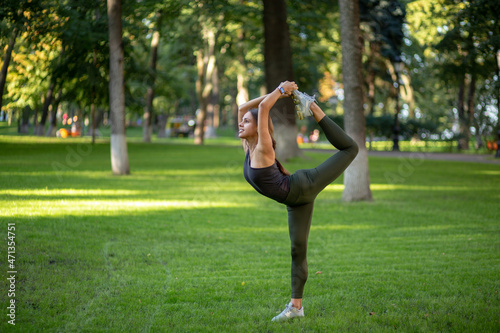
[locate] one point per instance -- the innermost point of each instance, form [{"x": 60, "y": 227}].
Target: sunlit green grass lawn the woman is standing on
[{"x": 183, "y": 244}]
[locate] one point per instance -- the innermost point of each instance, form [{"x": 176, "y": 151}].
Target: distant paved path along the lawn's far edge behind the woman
[{"x": 475, "y": 158}]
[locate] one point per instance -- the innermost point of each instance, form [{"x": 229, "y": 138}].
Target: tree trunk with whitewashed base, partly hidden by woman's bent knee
[{"x": 356, "y": 176}]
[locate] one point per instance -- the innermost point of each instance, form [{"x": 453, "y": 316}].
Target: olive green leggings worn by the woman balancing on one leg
[{"x": 305, "y": 185}]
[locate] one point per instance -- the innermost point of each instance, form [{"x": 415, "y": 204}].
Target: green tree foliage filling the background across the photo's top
[{"x": 59, "y": 60}]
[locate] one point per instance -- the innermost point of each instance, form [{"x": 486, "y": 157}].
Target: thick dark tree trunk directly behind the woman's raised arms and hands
[{"x": 278, "y": 65}]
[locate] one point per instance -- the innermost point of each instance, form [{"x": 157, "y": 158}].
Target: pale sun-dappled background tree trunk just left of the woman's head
[{"x": 204, "y": 85}]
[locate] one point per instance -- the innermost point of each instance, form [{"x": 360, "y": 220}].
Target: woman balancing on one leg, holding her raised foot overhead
[{"x": 299, "y": 190}]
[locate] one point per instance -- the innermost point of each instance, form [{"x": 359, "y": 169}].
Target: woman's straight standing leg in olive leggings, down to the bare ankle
[{"x": 299, "y": 224}]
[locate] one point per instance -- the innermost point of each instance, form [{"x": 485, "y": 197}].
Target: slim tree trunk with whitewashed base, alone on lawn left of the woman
[{"x": 119, "y": 154}]
